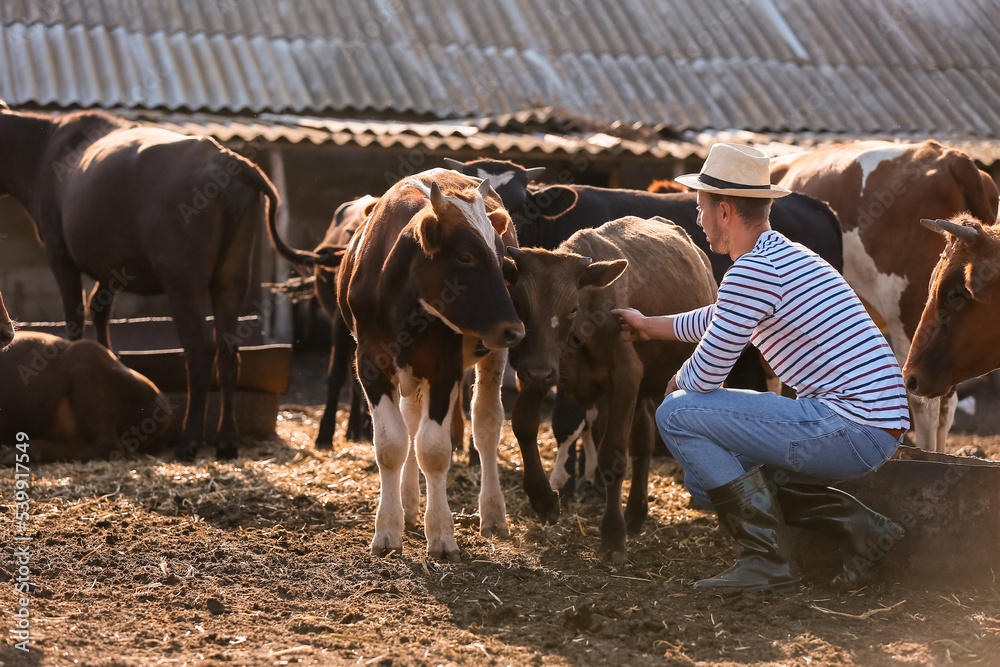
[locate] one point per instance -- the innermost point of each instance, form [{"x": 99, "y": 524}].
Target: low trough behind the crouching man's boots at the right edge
[{"x": 950, "y": 509}]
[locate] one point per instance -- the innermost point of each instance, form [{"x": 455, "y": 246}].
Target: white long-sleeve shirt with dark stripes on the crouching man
[{"x": 810, "y": 326}]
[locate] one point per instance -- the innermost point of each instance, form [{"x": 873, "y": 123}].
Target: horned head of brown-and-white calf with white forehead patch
[{"x": 459, "y": 275}]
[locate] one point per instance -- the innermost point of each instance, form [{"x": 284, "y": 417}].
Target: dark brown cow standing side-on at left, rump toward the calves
[{"x": 148, "y": 211}]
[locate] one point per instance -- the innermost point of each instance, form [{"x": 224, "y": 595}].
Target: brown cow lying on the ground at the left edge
[{"x": 75, "y": 401}]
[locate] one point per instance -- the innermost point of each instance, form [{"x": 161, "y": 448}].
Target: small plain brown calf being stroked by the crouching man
[{"x": 565, "y": 297}]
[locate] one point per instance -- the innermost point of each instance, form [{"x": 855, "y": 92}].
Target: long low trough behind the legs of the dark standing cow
[{"x": 150, "y": 346}]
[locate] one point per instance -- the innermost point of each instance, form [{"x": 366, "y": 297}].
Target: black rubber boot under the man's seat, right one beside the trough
[{"x": 865, "y": 536}]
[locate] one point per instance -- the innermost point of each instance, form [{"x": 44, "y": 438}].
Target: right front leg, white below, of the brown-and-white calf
[{"x": 433, "y": 448}]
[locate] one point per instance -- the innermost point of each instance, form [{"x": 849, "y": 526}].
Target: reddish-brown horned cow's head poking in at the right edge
[{"x": 955, "y": 339}]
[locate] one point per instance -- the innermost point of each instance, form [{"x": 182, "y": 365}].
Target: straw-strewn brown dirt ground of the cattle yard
[{"x": 265, "y": 561}]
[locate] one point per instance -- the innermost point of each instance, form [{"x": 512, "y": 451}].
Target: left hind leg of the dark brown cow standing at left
[{"x": 193, "y": 330}]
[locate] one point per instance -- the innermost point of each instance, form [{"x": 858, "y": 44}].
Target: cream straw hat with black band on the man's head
[{"x": 734, "y": 169}]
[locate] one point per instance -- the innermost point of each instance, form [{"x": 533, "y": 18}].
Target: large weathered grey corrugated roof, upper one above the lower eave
[{"x": 867, "y": 66}]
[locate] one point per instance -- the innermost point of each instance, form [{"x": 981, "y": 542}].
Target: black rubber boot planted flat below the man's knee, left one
[{"x": 748, "y": 509}]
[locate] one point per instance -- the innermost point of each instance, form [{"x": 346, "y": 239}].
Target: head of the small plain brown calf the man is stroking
[{"x": 550, "y": 295}]
